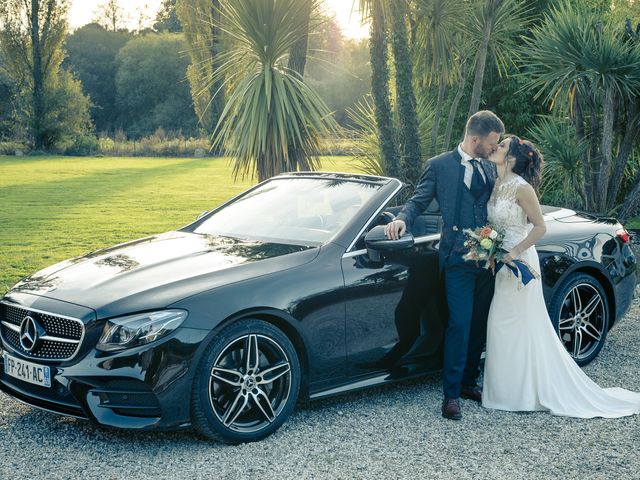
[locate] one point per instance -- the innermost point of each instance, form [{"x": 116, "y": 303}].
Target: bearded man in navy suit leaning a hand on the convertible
[{"x": 461, "y": 181}]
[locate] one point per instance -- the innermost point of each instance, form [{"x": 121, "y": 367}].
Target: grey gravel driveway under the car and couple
[{"x": 389, "y": 432}]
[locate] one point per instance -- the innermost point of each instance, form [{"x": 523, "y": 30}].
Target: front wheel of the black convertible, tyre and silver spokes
[{"x": 237, "y": 399}]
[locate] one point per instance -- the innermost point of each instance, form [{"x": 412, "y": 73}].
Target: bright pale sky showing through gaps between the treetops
[{"x": 83, "y": 12}]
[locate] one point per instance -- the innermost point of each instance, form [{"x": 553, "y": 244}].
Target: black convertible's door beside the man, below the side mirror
[{"x": 393, "y": 307}]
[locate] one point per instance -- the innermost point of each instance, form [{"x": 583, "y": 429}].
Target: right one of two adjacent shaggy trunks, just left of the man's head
[{"x": 409, "y": 138}]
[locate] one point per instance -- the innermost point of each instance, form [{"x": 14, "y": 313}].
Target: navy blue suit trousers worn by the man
[{"x": 469, "y": 290}]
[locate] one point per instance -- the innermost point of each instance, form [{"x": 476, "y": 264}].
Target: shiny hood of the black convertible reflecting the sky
[{"x": 156, "y": 271}]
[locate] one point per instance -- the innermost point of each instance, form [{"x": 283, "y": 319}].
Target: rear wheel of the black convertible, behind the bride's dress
[{"x": 580, "y": 314}]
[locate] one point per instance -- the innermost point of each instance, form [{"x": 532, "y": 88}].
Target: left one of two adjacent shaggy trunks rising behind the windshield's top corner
[{"x": 380, "y": 91}]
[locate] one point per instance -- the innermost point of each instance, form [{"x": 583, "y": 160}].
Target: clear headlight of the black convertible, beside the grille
[{"x": 135, "y": 330}]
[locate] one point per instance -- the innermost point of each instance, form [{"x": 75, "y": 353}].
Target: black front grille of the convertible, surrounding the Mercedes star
[{"x": 59, "y": 339}]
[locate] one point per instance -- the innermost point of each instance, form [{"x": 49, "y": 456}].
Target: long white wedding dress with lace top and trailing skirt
[{"x": 526, "y": 367}]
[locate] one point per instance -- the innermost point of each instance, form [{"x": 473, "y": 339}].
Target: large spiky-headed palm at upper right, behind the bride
[{"x": 586, "y": 69}]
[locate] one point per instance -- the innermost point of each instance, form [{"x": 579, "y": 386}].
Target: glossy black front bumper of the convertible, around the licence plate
[{"x": 144, "y": 388}]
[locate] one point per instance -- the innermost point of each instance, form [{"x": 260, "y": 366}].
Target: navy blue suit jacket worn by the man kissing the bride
[{"x": 444, "y": 181}]
